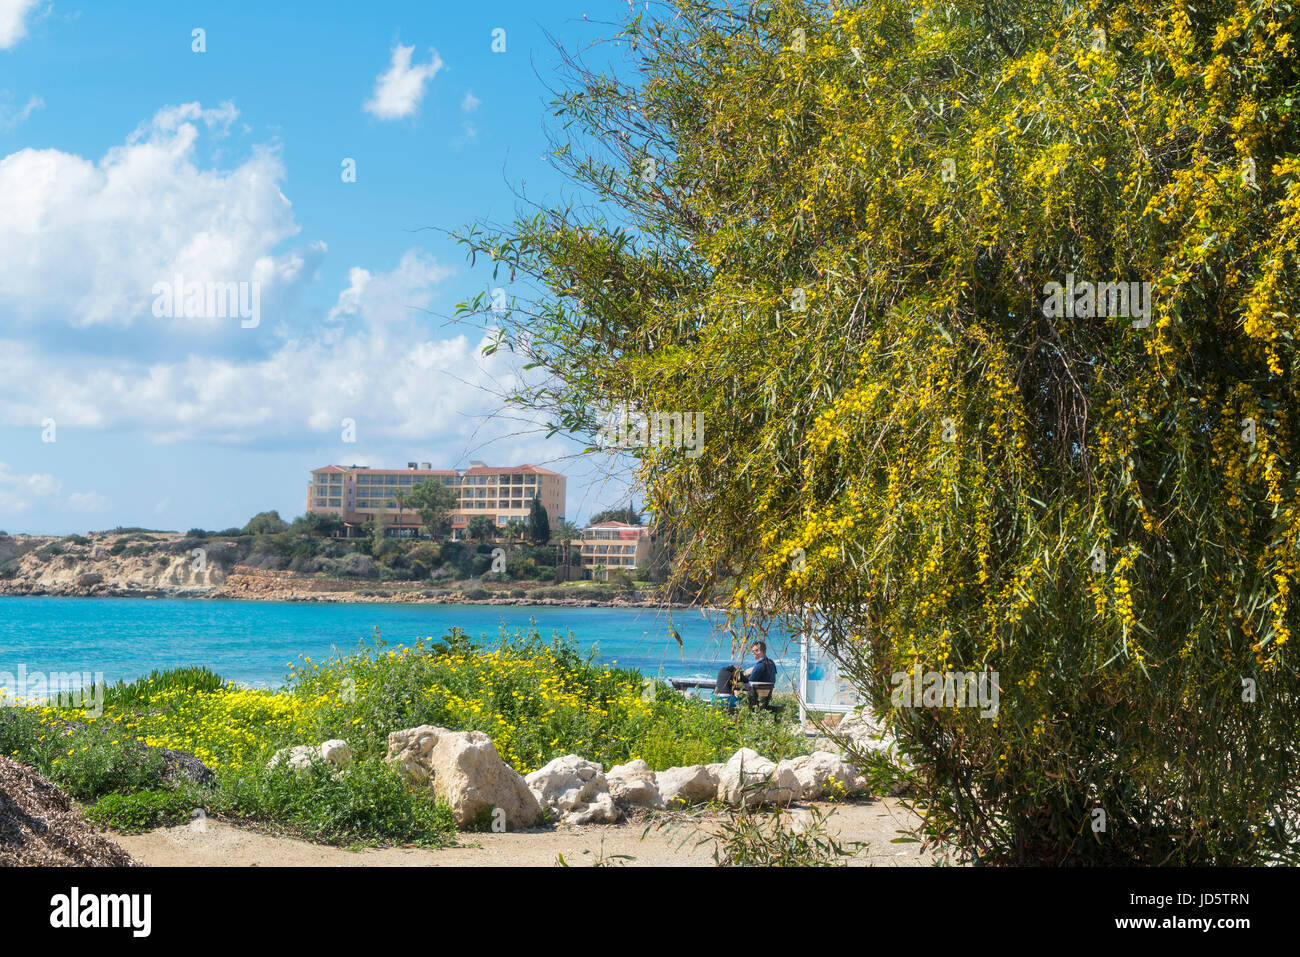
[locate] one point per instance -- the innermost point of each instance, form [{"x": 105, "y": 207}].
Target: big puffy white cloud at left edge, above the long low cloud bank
[{"x": 85, "y": 241}]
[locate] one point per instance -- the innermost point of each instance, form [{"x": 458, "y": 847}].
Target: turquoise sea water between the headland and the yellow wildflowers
[{"x": 254, "y": 643}]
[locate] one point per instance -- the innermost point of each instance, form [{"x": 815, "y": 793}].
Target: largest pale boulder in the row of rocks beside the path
[{"x": 465, "y": 770}]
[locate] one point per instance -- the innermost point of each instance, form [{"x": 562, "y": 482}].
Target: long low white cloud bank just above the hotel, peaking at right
[{"x": 374, "y": 361}]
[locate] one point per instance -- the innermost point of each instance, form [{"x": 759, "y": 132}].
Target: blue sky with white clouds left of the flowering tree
[{"x": 127, "y": 159}]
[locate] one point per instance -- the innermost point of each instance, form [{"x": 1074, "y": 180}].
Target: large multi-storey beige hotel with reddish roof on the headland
[{"x": 358, "y": 493}]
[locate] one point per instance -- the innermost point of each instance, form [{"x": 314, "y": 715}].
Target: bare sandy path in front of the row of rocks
[{"x": 224, "y": 846}]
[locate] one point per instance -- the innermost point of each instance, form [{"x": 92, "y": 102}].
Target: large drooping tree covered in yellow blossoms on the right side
[{"x": 990, "y": 314}]
